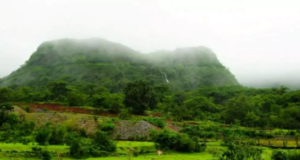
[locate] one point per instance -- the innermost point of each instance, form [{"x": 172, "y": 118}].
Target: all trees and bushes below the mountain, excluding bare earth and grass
[{"x": 232, "y": 106}]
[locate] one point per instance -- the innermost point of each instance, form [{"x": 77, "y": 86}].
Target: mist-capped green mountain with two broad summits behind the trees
[{"x": 112, "y": 65}]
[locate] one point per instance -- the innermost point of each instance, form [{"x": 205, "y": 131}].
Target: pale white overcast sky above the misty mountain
[{"x": 256, "y": 39}]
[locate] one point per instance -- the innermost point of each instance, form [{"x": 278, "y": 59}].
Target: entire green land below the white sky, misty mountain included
[{"x": 72, "y": 99}]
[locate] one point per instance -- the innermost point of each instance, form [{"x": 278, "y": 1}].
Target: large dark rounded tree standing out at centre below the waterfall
[{"x": 140, "y": 96}]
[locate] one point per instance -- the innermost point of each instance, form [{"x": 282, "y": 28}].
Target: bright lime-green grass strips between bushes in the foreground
[{"x": 123, "y": 144}]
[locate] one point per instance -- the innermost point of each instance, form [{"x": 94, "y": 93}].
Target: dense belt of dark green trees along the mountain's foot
[{"x": 266, "y": 108}]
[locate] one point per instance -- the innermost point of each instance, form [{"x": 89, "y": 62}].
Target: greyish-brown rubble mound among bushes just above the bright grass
[{"x": 126, "y": 130}]
